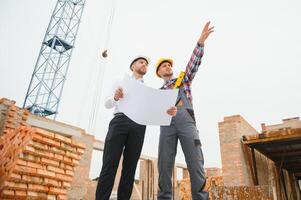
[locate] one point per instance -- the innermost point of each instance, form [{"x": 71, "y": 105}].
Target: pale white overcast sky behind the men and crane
[{"x": 251, "y": 64}]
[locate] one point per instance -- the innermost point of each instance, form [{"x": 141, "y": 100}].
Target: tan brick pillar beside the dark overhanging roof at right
[{"x": 235, "y": 169}]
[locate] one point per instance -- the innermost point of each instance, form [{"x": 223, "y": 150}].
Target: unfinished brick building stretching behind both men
[{"x": 46, "y": 159}]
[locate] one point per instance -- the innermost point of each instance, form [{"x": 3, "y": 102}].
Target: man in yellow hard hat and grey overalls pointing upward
[{"x": 183, "y": 126}]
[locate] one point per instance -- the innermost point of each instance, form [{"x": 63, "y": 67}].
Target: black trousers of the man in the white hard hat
[{"x": 124, "y": 136}]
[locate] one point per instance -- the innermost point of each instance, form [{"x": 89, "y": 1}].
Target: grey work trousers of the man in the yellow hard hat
[{"x": 183, "y": 128}]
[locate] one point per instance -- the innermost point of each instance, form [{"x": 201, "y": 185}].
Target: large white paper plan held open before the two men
[{"x": 146, "y": 105}]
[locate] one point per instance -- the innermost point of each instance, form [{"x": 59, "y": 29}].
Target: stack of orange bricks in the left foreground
[{"x": 37, "y": 164}]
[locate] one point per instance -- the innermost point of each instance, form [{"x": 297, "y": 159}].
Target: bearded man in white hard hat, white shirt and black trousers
[{"x": 124, "y": 137}]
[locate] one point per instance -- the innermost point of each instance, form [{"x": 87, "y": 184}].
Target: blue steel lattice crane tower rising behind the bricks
[{"x": 49, "y": 75}]
